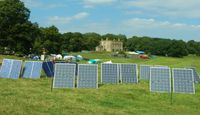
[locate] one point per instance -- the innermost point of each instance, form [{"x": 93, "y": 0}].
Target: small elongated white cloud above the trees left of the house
[{"x": 64, "y": 20}]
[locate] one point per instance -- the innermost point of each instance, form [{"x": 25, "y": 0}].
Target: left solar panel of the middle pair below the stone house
[{"x": 109, "y": 73}]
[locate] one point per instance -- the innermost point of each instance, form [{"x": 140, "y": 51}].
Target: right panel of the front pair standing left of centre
[{"x": 87, "y": 76}]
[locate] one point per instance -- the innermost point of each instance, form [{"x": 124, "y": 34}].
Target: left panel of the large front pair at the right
[{"x": 160, "y": 79}]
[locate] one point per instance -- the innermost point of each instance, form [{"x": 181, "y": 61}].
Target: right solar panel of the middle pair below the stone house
[{"x": 123, "y": 75}]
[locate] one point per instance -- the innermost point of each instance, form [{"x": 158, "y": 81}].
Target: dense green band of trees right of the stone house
[{"x": 163, "y": 47}]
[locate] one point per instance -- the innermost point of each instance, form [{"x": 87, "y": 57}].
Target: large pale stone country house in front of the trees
[{"x": 110, "y": 45}]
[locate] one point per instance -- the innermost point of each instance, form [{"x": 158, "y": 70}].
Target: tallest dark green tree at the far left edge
[{"x": 15, "y": 28}]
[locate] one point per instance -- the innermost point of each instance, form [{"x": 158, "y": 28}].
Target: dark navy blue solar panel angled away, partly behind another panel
[{"x": 48, "y": 68}]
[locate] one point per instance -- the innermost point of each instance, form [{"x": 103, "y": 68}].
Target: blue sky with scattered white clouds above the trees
[{"x": 174, "y": 19}]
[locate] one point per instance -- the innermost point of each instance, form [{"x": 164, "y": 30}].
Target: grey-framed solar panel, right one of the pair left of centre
[{"x": 80, "y": 78}]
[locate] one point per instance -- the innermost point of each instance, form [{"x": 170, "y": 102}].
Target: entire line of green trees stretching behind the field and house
[{"x": 22, "y": 36}]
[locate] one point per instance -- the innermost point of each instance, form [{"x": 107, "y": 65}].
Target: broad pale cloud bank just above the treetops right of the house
[{"x": 165, "y": 29}]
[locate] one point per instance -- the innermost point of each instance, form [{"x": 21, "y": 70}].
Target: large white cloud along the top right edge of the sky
[{"x": 177, "y": 8}]
